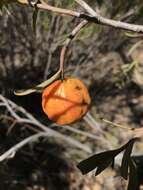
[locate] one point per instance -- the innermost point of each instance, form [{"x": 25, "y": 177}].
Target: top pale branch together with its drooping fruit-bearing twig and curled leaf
[{"x": 92, "y": 17}]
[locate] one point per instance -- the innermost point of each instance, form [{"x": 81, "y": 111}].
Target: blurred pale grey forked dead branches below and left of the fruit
[{"x": 45, "y": 131}]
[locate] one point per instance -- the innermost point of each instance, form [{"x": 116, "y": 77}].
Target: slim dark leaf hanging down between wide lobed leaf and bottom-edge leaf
[{"x": 126, "y": 160}]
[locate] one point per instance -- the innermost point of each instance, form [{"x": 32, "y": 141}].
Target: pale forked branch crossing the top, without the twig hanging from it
[{"x": 92, "y": 17}]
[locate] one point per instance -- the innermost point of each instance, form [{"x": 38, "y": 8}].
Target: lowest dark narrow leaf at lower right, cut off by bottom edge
[{"x": 133, "y": 178}]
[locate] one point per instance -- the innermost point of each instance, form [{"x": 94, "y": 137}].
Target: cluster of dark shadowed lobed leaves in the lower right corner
[{"x": 105, "y": 159}]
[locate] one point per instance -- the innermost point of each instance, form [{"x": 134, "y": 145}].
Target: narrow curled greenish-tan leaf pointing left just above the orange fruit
[{"x": 39, "y": 87}]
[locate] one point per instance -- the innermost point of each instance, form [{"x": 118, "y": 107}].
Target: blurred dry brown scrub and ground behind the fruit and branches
[{"x": 109, "y": 61}]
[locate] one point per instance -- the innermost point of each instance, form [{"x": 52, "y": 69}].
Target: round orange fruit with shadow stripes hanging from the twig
[{"x": 65, "y": 101}]
